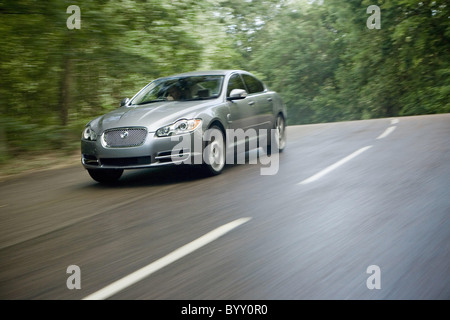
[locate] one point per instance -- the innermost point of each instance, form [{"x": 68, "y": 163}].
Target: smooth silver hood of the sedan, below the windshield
[{"x": 152, "y": 115}]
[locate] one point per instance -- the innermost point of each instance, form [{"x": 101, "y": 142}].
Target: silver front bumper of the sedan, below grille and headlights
[{"x": 155, "y": 151}]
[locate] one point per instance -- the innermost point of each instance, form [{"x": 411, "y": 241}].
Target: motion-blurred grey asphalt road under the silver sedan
[{"x": 347, "y": 195}]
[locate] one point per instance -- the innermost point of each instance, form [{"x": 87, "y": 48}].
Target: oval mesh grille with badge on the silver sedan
[{"x": 124, "y": 137}]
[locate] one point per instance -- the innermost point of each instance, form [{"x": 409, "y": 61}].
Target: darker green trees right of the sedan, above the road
[{"x": 329, "y": 66}]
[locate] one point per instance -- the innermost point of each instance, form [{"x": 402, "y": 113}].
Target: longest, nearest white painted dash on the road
[{"x": 144, "y": 272}]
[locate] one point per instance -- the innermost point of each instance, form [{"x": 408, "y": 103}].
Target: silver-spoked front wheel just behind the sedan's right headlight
[{"x": 214, "y": 153}]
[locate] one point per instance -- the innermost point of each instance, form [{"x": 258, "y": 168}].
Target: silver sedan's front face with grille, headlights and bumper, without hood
[{"x": 134, "y": 147}]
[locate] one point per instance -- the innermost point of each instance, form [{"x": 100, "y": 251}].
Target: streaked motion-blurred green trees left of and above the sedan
[{"x": 54, "y": 79}]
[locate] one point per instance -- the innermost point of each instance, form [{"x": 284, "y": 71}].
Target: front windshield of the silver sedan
[{"x": 180, "y": 89}]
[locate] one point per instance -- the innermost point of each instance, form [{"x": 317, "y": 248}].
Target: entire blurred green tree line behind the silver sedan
[{"x": 319, "y": 55}]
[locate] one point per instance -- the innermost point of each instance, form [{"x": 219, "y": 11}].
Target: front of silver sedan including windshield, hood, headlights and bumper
[{"x": 158, "y": 126}]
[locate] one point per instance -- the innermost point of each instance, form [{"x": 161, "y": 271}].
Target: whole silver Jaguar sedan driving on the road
[{"x": 193, "y": 118}]
